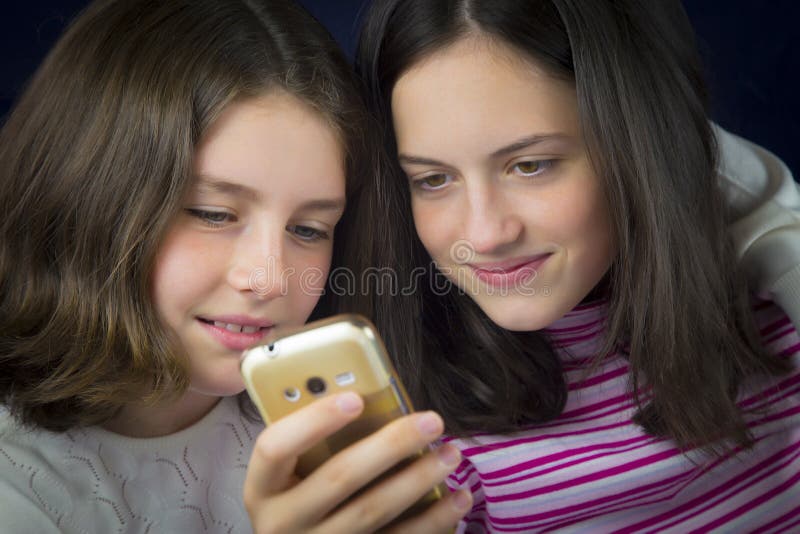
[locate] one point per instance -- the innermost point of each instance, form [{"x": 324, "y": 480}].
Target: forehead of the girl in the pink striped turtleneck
[{"x": 480, "y": 85}]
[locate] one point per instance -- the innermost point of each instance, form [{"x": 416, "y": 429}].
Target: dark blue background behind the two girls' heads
[{"x": 750, "y": 48}]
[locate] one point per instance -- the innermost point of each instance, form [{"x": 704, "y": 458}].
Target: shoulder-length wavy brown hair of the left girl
[{"x": 95, "y": 160}]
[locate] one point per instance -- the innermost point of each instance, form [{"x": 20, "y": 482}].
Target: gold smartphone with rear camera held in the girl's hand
[{"x": 341, "y": 353}]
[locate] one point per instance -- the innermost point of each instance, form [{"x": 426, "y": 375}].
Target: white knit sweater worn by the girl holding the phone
[{"x": 92, "y": 480}]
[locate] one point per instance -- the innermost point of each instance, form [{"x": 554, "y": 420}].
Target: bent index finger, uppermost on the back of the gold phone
[{"x": 276, "y": 450}]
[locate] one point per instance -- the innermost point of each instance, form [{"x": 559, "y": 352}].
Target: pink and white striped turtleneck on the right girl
[{"x": 594, "y": 470}]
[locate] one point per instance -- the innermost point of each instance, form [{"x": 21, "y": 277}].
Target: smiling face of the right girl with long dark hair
[{"x": 503, "y": 195}]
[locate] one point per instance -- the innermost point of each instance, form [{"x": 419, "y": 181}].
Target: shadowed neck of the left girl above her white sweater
[{"x": 147, "y": 420}]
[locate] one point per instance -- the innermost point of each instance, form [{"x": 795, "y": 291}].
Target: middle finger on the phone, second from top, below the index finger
[{"x": 360, "y": 463}]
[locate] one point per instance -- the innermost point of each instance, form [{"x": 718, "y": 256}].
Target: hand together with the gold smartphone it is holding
[{"x": 329, "y": 458}]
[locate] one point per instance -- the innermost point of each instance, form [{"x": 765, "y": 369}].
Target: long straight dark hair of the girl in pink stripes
[{"x": 676, "y": 297}]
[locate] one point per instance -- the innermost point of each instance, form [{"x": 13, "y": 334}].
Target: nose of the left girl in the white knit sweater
[{"x": 257, "y": 267}]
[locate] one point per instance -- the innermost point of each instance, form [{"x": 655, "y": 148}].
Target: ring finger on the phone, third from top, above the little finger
[{"x": 389, "y": 498}]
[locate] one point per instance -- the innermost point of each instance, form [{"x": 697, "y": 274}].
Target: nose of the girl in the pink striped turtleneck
[{"x": 491, "y": 222}]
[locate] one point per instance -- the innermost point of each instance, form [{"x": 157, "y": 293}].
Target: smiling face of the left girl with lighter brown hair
[{"x": 252, "y": 247}]
